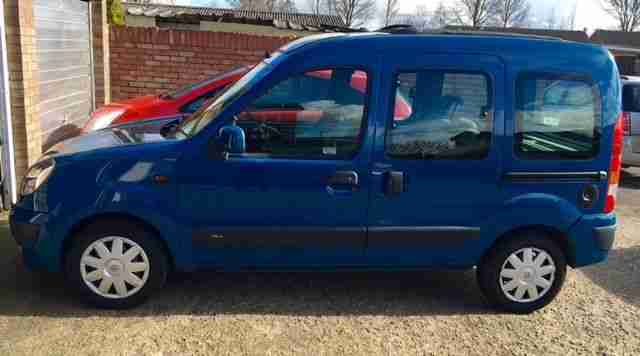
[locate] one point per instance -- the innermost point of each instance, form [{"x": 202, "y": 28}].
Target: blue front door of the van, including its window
[{"x": 298, "y": 195}]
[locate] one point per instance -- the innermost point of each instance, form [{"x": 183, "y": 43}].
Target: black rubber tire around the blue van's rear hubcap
[{"x": 489, "y": 279}]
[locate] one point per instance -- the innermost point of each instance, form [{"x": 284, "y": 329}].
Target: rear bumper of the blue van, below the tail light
[{"x": 591, "y": 239}]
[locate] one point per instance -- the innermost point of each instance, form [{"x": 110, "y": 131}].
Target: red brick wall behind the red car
[{"x": 151, "y": 61}]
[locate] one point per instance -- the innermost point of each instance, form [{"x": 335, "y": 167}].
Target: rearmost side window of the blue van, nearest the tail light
[{"x": 557, "y": 117}]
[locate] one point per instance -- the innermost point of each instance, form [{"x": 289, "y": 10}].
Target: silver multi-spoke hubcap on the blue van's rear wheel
[{"x": 527, "y": 275}]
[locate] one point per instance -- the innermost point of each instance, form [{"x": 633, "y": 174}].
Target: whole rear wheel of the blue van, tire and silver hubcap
[{"x": 522, "y": 274}]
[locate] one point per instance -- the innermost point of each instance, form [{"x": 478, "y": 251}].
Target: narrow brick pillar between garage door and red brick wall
[{"x": 100, "y": 34}]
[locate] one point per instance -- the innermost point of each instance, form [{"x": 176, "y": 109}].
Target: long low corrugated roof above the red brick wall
[{"x": 296, "y": 21}]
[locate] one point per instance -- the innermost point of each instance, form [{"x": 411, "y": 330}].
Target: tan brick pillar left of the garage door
[{"x": 23, "y": 82}]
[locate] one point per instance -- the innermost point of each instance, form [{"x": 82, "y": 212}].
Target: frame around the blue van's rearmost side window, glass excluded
[{"x": 556, "y": 76}]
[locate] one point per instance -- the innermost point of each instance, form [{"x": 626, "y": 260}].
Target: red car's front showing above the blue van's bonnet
[{"x": 185, "y": 100}]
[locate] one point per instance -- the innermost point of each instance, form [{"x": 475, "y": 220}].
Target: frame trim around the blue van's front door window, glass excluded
[{"x": 364, "y": 125}]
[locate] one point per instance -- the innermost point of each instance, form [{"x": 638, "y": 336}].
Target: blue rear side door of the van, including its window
[{"x": 435, "y": 173}]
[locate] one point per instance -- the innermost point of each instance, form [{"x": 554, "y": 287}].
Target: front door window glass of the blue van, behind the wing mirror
[{"x": 318, "y": 114}]
